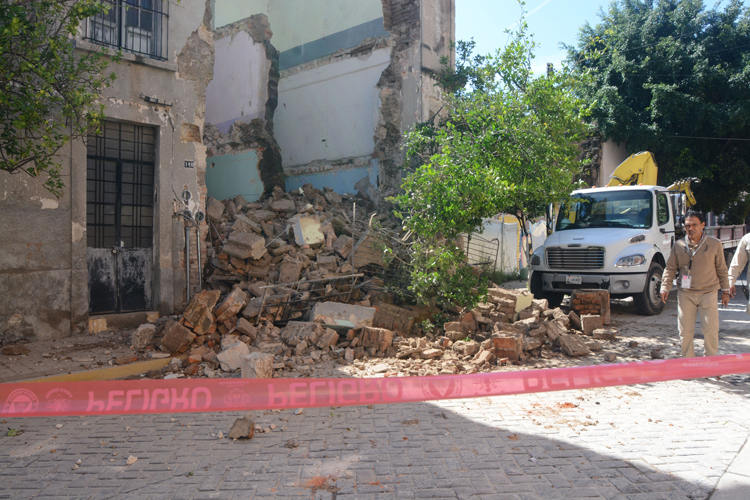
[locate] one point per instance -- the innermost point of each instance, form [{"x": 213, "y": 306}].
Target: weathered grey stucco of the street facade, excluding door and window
[{"x": 43, "y": 264}]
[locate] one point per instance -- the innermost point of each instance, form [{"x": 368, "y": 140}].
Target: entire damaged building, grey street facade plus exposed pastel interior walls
[{"x": 299, "y": 93}]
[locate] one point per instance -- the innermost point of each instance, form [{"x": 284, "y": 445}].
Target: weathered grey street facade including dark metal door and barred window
[{"x": 110, "y": 244}]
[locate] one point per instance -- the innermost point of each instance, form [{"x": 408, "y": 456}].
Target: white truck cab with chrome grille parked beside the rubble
[{"x": 614, "y": 238}]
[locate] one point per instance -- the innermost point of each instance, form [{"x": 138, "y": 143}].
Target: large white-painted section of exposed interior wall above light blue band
[{"x": 330, "y": 112}]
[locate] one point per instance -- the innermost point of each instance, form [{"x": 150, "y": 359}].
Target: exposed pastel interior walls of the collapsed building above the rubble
[{"x": 319, "y": 93}]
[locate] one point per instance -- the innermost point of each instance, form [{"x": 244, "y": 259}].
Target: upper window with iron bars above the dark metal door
[{"x": 138, "y": 26}]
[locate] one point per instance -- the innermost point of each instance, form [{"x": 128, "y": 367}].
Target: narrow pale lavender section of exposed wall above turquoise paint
[{"x": 239, "y": 89}]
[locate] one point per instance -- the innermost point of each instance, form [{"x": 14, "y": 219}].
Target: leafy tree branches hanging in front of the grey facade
[{"x": 48, "y": 89}]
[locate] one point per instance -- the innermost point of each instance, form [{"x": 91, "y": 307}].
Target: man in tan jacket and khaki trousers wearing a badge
[{"x": 699, "y": 258}]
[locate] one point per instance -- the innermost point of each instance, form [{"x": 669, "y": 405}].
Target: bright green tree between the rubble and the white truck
[{"x": 508, "y": 142}]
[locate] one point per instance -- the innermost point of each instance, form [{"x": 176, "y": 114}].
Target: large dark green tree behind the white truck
[{"x": 673, "y": 78}]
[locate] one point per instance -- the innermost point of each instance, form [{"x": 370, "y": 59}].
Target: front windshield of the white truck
[{"x": 607, "y": 209}]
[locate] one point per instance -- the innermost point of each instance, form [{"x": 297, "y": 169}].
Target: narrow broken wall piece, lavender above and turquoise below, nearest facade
[{"x": 243, "y": 155}]
